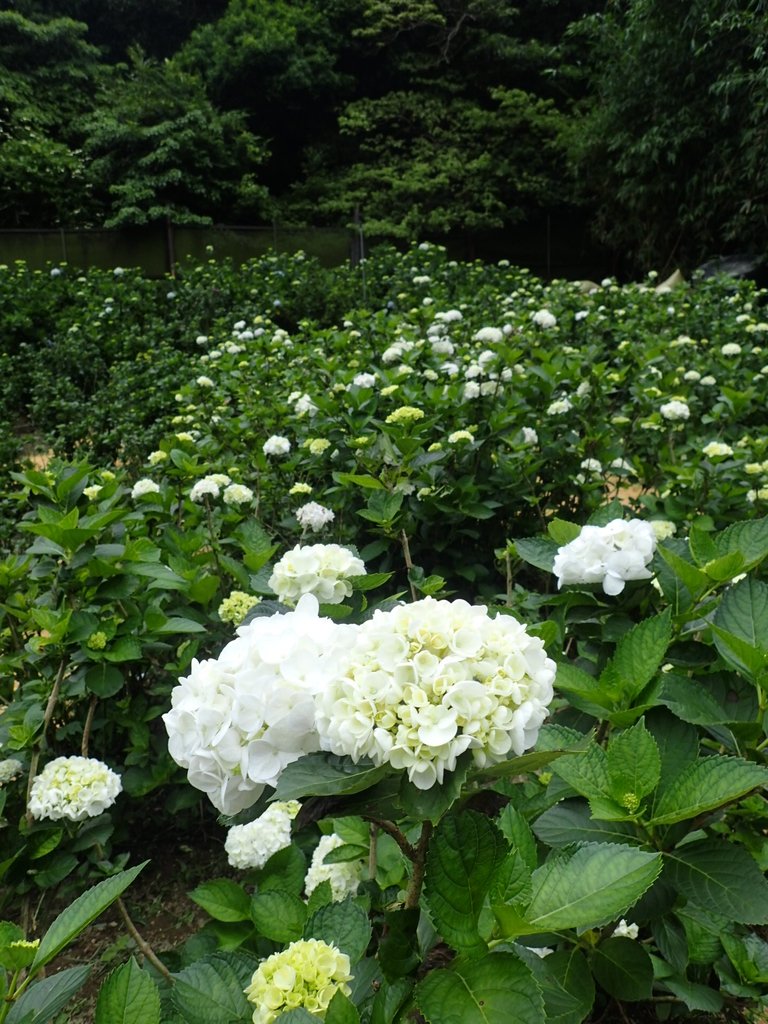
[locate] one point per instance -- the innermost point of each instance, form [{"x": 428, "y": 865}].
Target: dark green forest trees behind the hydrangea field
[{"x": 645, "y": 121}]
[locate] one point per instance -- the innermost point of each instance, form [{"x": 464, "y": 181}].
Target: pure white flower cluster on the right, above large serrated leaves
[{"x": 610, "y": 556}]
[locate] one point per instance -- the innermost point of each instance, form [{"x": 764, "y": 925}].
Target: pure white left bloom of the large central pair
[{"x": 238, "y": 720}]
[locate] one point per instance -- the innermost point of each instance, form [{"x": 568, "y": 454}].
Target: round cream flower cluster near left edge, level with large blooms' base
[{"x": 73, "y": 788}]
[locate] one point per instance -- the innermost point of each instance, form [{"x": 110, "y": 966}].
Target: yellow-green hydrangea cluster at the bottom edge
[{"x": 309, "y": 974}]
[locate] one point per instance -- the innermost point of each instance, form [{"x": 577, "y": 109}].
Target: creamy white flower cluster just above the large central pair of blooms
[{"x": 323, "y": 570}]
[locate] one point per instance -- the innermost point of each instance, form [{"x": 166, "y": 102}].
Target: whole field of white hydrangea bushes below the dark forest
[{"x": 438, "y": 591}]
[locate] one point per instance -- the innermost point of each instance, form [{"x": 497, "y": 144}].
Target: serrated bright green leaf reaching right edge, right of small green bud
[{"x": 706, "y": 785}]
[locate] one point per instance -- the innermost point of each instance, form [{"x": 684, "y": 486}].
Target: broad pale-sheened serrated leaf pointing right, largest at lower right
[{"x": 594, "y": 885}]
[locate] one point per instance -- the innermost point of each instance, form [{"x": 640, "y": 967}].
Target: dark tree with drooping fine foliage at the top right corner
[{"x": 671, "y": 147}]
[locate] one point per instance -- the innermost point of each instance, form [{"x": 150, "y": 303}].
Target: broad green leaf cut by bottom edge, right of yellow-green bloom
[{"x": 496, "y": 990}]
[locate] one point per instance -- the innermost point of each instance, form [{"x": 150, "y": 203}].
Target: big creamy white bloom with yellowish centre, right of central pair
[{"x": 428, "y": 681}]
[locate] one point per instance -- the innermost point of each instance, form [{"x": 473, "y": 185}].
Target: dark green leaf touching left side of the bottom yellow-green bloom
[{"x": 211, "y": 992}]
